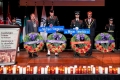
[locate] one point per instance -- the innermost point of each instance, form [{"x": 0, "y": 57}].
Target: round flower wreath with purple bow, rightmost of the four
[{"x": 104, "y": 42}]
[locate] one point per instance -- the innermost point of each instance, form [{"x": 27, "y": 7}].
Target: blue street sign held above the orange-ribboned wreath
[{"x": 72, "y": 31}]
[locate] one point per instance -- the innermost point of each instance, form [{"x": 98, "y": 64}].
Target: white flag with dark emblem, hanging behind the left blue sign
[{"x": 43, "y": 23}]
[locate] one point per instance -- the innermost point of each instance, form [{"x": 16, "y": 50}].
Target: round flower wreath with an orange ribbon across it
[{"x": 80, "y": 43}]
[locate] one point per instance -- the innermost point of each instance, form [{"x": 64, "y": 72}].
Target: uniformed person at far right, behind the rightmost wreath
[{"x": 110, "y": 28}]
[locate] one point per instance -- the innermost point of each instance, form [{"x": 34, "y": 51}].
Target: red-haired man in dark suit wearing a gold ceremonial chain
[{"x": 90, "y": 23}]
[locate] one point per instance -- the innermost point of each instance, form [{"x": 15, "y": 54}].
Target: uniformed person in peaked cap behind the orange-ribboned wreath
[{"x": 76, "y": 24}]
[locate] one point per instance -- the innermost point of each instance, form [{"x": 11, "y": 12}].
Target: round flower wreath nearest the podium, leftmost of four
[{"x": 33, "y": 42}]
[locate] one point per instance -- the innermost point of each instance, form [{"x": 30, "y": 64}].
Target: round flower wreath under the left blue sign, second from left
[{"x": 56, "y": 42}]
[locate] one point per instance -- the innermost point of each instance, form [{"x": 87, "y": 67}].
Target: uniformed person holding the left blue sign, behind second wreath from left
[{"x": 52, "y": 21}]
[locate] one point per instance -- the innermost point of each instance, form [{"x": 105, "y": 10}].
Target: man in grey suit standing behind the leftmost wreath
[{"x": 32, "y": 26}]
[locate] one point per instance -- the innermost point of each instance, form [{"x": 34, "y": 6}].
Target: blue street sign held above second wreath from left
[{"x": 51, "y": 29}]
